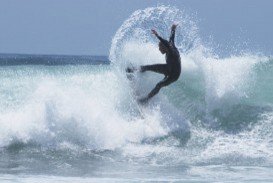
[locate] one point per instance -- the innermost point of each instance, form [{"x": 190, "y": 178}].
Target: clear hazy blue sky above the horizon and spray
[{"x": 86, "y": 27}]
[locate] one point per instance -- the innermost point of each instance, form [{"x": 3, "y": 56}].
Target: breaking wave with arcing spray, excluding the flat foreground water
[{"x": 94, "y": 107}]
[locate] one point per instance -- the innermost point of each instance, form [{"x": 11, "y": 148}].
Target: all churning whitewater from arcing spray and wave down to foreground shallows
[{"x": 81, "y": 123}]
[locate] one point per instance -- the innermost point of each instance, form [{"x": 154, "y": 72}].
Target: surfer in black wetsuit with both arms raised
[{"x": 171, "y": 69}]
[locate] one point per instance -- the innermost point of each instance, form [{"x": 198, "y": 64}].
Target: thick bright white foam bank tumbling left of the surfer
[{"x": 83, "y": 110}]
